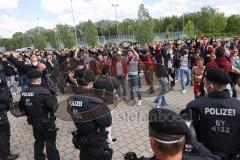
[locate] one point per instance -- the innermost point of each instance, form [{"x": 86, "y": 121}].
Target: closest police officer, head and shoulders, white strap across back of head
[{"x": 168, "y": 135}]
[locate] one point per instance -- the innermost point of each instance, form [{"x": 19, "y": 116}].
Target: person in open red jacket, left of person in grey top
[{"x": 119, "y": 70}]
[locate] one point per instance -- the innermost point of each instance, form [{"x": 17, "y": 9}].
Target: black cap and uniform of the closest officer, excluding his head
[{"x": 166, "y": 123}]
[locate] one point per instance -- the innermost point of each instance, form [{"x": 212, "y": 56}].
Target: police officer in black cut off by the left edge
[{"x": 5, "y": 100}]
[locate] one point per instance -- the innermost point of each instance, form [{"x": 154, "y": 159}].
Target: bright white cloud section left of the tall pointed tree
[{"x": 93, "y": 9}]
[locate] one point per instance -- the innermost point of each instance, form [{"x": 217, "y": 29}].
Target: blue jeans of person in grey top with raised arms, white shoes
[{"x": 133, "y": 81}]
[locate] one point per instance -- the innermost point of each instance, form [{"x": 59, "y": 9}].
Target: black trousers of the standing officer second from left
[{"x": 45, "y": 133}]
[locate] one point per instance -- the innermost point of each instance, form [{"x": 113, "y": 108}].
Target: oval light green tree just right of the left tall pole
[{"x": 90, "y": 32}]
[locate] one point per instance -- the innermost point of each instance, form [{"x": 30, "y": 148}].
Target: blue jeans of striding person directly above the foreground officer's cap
[{"x": 160, "y": 100}]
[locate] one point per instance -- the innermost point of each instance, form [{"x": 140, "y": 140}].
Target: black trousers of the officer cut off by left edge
[{"x": 4, "y": 136}]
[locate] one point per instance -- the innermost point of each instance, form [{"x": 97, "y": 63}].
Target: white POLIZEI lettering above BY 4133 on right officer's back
[{"x": 220, "y": 111}]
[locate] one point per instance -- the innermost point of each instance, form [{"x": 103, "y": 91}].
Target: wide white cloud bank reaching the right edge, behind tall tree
[{"x": 97, "y": 10}]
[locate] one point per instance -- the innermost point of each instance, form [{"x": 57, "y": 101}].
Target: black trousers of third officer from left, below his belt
[{"x": 95, "y": 152}]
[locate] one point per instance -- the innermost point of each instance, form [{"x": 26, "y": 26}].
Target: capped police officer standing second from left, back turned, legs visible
[{"x": 40, "y": 107}]
